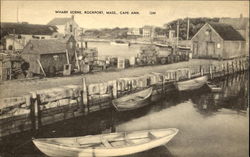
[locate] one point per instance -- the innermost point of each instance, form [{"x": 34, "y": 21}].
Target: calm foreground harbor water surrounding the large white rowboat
[{"x": 210, "y": 124}]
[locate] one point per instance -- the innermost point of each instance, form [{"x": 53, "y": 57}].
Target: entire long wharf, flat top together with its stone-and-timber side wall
[{"x": 36, "y": 103}]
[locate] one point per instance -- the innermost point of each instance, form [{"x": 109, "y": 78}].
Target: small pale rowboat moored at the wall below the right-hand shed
[{"x": 192, "y": 84}]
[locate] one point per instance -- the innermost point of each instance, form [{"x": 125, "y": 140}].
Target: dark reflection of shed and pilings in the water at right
[{"x": 233, "y": 96}]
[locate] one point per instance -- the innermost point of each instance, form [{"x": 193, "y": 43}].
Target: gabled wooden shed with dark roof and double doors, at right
[{"x": 218, "y": 40}]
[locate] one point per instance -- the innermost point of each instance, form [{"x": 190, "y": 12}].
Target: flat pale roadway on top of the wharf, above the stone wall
[{"x": 15, "y": 88}]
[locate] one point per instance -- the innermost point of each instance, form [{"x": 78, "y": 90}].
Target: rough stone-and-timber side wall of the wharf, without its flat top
[{"x": 43, "y": 107}]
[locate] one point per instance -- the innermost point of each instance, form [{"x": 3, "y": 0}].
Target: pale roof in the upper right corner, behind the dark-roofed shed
[{"x": 237, "y": 23}]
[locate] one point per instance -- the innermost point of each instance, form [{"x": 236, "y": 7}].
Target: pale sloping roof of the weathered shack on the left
[{"x": 45, "y": 46}]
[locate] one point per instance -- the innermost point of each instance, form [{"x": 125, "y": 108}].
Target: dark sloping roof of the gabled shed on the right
[{"x": 226, "y": 32}]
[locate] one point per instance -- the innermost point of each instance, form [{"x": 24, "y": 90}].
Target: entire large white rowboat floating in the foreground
[{"x": 113, "y": 144}]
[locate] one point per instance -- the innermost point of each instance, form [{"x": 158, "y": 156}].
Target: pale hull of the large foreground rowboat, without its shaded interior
[{"x": 54, "y": 150}]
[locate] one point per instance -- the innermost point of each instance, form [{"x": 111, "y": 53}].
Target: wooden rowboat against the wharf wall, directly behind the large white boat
[{"x": 133, "y": 101}]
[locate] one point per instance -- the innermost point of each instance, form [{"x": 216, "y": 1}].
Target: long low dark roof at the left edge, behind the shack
[{"x": 25, "y": 28}]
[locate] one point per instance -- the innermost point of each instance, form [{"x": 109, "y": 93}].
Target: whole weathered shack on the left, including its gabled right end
[{"x": 50, "y": 55}]
